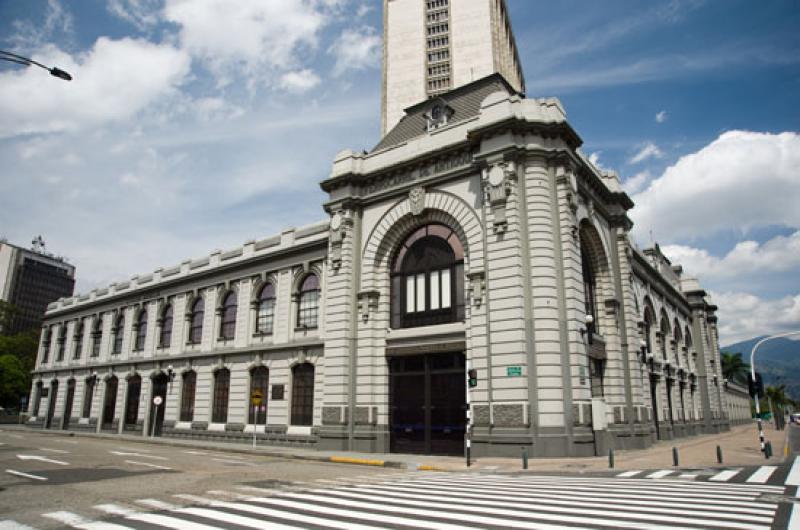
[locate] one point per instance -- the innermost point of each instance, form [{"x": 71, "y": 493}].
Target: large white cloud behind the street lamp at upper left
[{"x": 112, "y": 81}]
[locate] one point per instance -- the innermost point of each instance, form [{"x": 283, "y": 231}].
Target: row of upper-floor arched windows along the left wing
[{"x": 308, "y": 299}]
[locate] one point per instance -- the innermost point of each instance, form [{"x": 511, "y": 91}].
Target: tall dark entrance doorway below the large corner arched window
[{"x": 427, "y": 403}]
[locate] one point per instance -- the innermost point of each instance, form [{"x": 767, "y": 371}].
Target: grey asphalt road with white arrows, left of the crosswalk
[{"x": 45, "y": 473}]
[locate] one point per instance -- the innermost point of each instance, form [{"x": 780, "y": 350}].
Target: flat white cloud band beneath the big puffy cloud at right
[{"x": 779, "y": 254}]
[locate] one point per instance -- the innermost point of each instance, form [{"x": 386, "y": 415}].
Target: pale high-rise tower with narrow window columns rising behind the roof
[{"x": 432, "y": 46}]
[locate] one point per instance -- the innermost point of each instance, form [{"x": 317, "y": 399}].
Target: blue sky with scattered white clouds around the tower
[{"x": 195, "y": 125}]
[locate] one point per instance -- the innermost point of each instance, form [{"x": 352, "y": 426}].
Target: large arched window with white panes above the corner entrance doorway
[{"x": 428, "y": 278}]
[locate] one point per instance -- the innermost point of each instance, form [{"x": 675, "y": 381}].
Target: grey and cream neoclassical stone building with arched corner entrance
[{"x": 475, "y": 235}]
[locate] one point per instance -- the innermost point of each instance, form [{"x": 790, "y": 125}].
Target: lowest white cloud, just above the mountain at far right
[{"x": 743, "y": 316}]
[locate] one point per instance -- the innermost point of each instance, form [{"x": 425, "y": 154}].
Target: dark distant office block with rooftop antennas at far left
[{"x": 29, "y": 280}]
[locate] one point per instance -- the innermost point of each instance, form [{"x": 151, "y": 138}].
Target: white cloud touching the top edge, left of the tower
[{"x": 249, "y": 37}]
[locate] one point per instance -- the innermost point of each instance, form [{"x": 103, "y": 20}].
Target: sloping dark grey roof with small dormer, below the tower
[{"x": 465, "y": 101}]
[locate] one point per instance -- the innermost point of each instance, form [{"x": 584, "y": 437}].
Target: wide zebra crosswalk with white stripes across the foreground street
[{"x": 449, "y": 501}]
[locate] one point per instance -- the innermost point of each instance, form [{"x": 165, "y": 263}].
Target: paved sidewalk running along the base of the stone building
[{"x": 740, "y": 447}]
